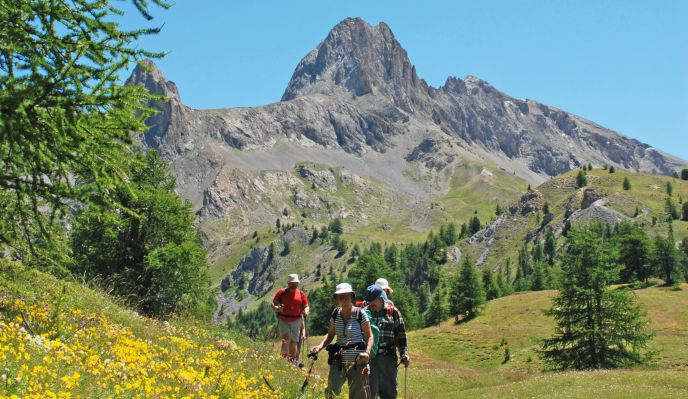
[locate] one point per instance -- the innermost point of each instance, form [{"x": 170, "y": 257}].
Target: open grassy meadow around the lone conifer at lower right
[{"x": 467, "y": 360}]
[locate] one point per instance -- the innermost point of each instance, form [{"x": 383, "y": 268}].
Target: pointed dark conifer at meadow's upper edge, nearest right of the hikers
[{"x": 467, "y": 294}]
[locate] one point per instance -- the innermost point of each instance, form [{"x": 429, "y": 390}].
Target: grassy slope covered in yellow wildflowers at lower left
[{"x": 61, "y": 339}]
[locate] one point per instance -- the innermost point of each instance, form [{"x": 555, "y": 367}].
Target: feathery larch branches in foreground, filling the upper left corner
[{"x": 67, "y": 117}]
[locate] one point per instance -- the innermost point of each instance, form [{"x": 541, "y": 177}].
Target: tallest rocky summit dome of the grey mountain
[{"x": 361, "y": 59}]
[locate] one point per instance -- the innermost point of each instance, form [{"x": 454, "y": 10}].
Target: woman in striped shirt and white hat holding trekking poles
[{"x": 348, "y": 357}]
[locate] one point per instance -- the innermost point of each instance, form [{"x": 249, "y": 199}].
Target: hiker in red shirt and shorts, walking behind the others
[{"x": 290, "y": 304}]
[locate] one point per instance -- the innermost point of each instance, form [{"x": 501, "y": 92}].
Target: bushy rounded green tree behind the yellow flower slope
[{"x": 148, "y": 252}]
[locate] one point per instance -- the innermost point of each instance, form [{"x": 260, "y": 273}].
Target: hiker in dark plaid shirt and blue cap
[{"x": 383, "y": 367}]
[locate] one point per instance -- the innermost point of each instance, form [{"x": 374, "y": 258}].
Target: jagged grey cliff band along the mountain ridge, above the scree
[{"x": 358, "y": 88}]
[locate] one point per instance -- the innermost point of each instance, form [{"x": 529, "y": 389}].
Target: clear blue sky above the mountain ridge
[{"x": 622, "y": 64}]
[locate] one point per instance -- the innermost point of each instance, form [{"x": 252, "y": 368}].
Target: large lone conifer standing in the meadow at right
[{"x": 597, "y": 326}]
